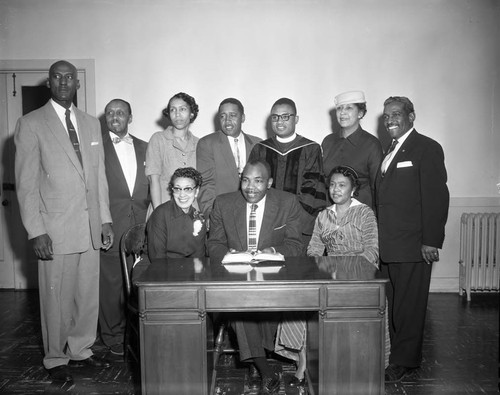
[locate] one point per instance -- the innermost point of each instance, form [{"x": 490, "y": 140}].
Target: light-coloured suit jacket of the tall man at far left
[{"x": 56, "y": 195}]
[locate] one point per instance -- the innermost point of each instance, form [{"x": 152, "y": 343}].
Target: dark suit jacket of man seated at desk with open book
[{"x": 281, "y": 225}]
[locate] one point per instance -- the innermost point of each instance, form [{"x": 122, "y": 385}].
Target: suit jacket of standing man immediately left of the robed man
[{"x": 215, "y": 162}]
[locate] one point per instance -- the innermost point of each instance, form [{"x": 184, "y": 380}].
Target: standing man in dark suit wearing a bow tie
[{"x": 125, "y": 157}]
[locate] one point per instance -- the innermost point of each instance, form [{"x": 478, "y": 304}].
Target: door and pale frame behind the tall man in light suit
[{"x": 21, "y": 91}]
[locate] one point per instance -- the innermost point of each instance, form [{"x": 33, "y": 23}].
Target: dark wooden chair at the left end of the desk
[{"x": 133, "y": 243}]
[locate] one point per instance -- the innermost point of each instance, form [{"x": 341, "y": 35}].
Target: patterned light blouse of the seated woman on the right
[{"x": 356, "y": 233}]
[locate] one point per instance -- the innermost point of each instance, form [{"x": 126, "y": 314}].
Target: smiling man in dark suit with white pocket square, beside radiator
[{"x": 412, "y": 202}]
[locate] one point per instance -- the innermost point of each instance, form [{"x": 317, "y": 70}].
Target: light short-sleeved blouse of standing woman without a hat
[{"x": 164, "y": 155}]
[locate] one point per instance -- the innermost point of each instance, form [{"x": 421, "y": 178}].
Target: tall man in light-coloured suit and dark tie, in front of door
[{"x": 63, "y": 198}]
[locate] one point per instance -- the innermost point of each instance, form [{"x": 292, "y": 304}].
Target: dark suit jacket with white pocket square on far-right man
[{"x": 412, "y": 200}]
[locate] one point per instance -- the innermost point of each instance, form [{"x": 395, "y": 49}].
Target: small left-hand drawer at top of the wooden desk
[{"x": 171, "y": 299}]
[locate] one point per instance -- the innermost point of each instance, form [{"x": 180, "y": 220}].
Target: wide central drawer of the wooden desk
[{"x": 262, "y": 298}]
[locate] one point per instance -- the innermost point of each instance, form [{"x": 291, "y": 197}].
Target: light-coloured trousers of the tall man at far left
[{"x": 69, "y": 304}]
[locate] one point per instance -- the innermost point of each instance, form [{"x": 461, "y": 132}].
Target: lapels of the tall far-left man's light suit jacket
[{"x": 61, "y": 136}]
